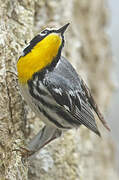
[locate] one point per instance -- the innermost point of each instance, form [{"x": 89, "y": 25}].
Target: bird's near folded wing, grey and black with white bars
[{"x": 69, "y": 98}]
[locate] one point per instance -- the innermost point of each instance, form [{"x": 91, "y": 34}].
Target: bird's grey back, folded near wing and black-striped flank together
[{"x": 60, "y": 97}]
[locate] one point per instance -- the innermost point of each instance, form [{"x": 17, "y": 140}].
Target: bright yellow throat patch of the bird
[{"x": 39, "y": 57}]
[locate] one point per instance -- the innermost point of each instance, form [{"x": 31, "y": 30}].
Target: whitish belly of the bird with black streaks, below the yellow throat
[{"x": 52, "y": 119}]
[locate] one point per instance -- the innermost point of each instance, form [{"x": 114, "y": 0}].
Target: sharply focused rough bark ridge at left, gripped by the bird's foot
[{"x": 16, "y": 25}]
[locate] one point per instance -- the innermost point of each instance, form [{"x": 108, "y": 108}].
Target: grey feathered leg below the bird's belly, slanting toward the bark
[{"x": 45, "y": 136}]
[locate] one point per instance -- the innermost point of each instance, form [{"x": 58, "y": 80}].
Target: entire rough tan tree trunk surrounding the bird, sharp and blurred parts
[{"x": 79, "y": 154}]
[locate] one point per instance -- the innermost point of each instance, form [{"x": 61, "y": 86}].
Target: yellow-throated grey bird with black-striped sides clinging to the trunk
[{"x": 53, "y": 89}]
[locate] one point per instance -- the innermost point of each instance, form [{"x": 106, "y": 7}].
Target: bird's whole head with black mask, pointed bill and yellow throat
[{"x": 41, "y": 52}]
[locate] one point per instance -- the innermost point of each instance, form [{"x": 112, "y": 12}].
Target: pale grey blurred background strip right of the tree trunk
[{"x": 113, "y": 111}]
